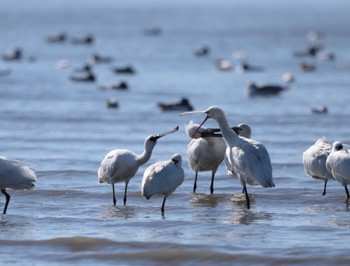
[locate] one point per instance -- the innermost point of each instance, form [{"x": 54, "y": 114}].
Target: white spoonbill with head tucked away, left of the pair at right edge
[{"x": 314, "y": 160}]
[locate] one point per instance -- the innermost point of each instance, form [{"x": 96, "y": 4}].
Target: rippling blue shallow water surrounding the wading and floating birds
[{"x": 63, "y": 130}]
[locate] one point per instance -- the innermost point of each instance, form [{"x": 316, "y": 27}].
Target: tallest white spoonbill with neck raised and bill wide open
[{"x": 247, "y": 159}]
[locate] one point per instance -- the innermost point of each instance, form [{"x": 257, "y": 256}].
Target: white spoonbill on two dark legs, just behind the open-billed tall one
[{"x": 204, "y": 154}]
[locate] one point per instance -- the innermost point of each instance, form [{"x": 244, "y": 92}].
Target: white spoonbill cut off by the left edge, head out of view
[{"x": 15, "y": 175}]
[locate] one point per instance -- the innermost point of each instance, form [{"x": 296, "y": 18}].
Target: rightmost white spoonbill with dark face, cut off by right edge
[{"x": 338, "y": 163}]
